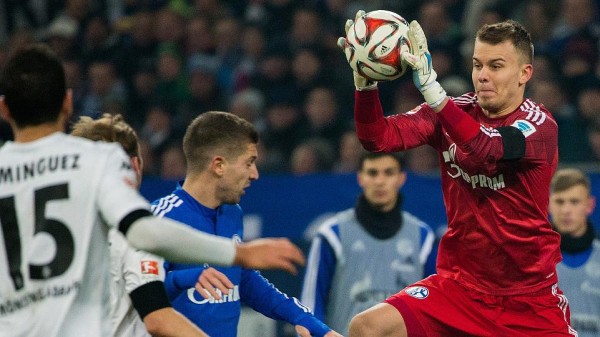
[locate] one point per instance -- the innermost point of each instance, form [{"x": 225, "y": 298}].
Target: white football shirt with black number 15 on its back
[{"x": 56, "y": 193}]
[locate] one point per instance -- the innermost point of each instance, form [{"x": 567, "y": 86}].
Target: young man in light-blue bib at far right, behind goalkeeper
[{"x": 571, "y": 204}]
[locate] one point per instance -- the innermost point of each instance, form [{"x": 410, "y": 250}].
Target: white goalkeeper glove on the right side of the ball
[{"x": 419, "y": 59}]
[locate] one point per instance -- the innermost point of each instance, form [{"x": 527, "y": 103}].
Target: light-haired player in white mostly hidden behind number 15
[{"x": 136, "y": 289}]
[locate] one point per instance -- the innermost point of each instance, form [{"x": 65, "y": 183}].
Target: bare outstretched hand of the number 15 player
[{"x": 269, "y": 254}]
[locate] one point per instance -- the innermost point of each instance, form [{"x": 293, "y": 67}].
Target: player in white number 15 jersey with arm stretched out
[{"x": 56, "y": 193}]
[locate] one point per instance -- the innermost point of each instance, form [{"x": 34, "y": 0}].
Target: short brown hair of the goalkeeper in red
[{"x": 508, "y": 30}]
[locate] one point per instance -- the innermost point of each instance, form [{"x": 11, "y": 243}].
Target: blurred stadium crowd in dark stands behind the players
[{"x": 160, "y": 63}]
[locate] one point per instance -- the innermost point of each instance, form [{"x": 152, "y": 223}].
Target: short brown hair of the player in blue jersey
[{"x": 216, "y": 133}]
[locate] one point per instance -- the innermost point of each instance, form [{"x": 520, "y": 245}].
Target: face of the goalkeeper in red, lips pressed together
[{"x": 499, "y": 76}]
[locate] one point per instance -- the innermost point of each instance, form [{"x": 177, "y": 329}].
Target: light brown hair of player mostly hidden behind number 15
[{"x": 109, "y": 128}]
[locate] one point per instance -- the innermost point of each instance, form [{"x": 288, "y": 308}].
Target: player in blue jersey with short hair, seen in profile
[{"x": 221, "y": 152}]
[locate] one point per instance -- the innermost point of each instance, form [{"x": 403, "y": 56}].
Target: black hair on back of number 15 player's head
[{"x": 33, "y": 85}]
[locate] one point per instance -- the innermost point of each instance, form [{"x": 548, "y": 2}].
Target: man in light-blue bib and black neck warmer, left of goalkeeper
[{"x": 341, "y": 277}]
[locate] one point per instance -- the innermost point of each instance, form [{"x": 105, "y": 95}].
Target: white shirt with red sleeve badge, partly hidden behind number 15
[{"x": 129, "y": 269}]
